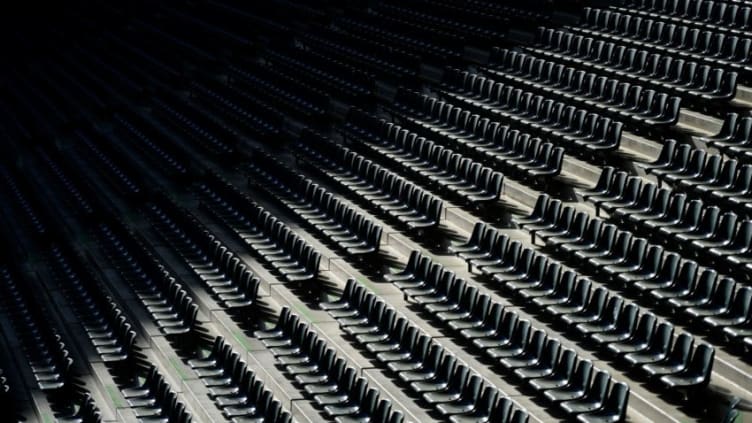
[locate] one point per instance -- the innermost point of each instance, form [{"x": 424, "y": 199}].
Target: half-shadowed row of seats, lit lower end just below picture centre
[{"x": 349, "y": 229}]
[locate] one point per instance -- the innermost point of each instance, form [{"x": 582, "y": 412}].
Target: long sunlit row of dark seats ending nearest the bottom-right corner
[{"x": 600, "y": 316}]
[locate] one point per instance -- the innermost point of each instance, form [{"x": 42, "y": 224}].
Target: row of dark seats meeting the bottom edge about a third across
[{"x": 234, "y": 387}]
